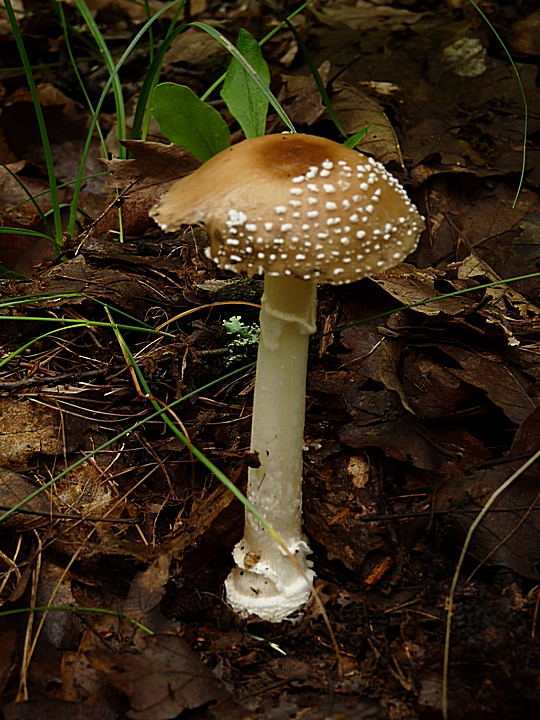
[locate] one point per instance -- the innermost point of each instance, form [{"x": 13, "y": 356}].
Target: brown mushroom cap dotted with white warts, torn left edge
[{"x": 296, "y": 205}]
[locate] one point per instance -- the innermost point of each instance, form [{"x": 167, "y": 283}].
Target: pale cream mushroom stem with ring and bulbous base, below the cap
[{"x": 266, "y": 582}]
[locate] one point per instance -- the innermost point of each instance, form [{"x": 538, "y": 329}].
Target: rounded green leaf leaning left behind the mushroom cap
[{"x": 189, "y": 122}]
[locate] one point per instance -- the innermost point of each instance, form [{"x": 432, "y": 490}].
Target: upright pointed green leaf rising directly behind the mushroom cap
[{"x": 243, "y": 98}]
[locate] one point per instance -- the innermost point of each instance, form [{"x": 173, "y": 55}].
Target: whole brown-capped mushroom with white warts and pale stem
[{"x": 302, "y": 210}]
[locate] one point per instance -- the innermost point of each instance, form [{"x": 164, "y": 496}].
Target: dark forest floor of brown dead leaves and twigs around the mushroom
[{"x": 415, "y": 416}]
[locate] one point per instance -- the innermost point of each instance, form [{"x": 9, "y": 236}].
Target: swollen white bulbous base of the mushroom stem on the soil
[{"x": 270, "y": 596}]
